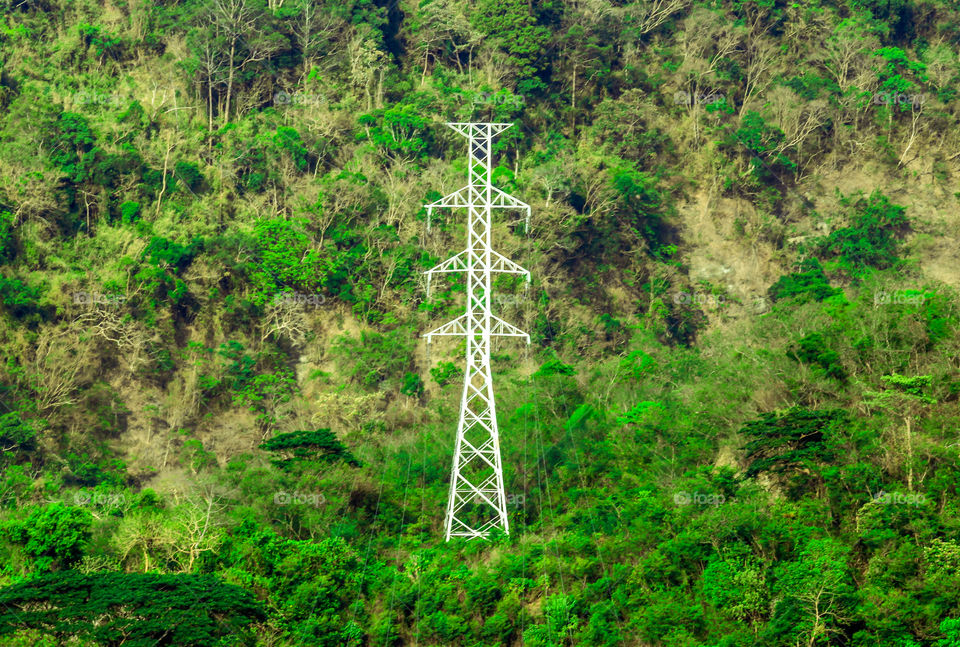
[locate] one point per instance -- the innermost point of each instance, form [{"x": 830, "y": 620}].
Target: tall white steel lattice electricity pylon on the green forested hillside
[{"x": 477, "y": 501}]
